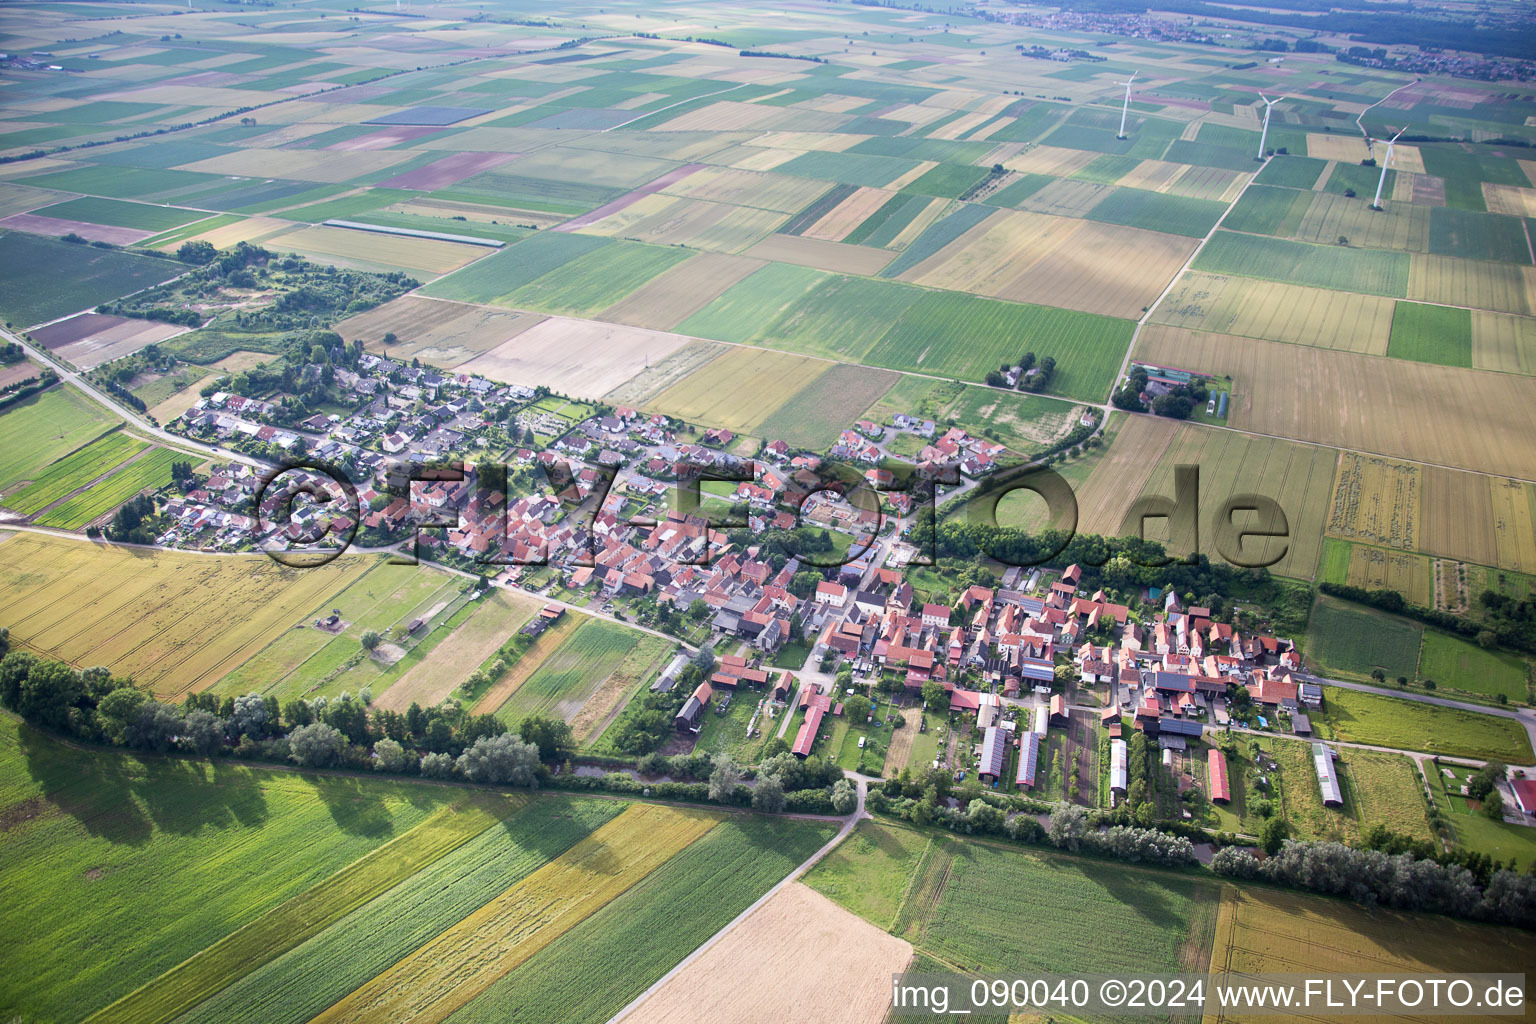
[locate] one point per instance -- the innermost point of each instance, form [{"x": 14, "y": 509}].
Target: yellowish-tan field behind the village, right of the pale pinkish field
[{"x": 740, "y": 389}]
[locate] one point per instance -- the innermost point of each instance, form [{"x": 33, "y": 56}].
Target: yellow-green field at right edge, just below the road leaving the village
[{"x": 1408, "y": 725}]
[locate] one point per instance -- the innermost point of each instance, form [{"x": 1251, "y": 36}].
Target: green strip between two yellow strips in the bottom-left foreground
[{"x": 297, "y": 985}]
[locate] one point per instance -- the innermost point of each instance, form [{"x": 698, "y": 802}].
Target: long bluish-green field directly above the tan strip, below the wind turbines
[{"x": 1339, "y": 268}]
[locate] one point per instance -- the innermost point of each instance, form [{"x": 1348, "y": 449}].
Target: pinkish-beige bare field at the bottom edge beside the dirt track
[{"x": 796, "y": 957}]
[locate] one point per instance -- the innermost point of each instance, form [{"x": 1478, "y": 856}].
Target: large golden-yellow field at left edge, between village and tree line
[{"x": 174, "y": 623}]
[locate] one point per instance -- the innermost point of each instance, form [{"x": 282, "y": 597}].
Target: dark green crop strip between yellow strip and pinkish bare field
[{"x": 600, "y": 966}]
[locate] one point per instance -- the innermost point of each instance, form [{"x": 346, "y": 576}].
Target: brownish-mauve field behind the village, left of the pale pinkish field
[{"x": 439, "y": 332}]
